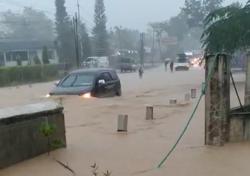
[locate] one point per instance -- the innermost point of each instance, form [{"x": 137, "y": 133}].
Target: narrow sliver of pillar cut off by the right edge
[{"x": 247, "y": 89}]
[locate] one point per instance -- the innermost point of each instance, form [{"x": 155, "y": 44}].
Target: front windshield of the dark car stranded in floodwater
[{"x": 78, "y": 80}]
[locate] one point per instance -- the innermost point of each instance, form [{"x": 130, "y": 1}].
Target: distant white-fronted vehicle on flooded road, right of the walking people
[{"x": 181, "y": 63}]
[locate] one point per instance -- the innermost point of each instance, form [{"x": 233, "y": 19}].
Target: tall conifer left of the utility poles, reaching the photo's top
[{"x": 65, "y": 40}]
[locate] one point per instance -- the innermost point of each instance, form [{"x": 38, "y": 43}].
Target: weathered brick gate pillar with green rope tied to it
[{"x": 217, "y": 101}]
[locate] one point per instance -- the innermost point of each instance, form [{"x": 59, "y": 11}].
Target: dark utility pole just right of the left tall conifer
[{"x": 76, "y": 38}]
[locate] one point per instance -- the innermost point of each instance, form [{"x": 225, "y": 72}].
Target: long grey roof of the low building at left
[{"x": 24, "y": 45}]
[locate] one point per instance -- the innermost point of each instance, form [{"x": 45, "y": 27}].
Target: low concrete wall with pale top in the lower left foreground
[{"x": 21, "y": 138}]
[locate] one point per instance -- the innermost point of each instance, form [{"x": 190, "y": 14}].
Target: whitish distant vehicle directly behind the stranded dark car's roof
[{"x": 96, "y": 62}]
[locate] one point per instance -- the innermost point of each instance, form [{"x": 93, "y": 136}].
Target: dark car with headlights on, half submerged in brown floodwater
[{"x": 90, "y": 82}]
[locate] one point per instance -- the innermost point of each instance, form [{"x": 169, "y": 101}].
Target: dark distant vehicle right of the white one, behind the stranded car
[{"x": 127, "y": 64}]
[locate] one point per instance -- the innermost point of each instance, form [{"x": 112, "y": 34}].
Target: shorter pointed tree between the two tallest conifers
[{"x": 85, "y": 41}]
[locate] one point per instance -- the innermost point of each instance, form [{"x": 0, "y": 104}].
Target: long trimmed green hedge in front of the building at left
[{"x": 10, "y": 76}]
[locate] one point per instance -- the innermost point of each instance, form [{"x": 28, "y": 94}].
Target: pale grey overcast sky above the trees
[{"x": 134, "y": 14}]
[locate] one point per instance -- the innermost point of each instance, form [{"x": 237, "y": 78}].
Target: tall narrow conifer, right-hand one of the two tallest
[{"x": 100, "y": 32}]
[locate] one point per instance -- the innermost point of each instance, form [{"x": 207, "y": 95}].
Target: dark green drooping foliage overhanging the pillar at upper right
[{"x": 227, "y": 29}]
